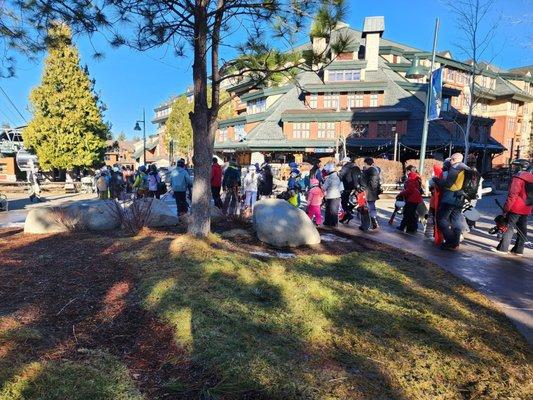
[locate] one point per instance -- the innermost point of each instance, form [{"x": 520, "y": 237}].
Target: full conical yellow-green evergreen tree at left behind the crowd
[{"x": 67, "y": 129}]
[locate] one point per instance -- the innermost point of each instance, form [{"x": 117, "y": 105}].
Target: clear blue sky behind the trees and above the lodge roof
[{"x": 128, "y": 80}]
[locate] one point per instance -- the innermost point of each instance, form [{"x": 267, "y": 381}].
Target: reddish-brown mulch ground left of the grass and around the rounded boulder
[{"x": 83, "y": 297}]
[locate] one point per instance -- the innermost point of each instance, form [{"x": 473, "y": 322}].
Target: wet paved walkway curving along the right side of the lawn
[{"x": 506, "y": 280}]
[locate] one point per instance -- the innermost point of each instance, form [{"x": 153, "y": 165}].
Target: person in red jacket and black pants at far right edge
[{"x": 517, "y": 208}]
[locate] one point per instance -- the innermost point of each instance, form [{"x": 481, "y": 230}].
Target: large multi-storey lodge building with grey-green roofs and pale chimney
[{"x": 363, "y": 98}]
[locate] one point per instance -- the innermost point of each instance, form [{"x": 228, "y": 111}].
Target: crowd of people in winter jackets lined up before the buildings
[{"x": 343, "y": 190}]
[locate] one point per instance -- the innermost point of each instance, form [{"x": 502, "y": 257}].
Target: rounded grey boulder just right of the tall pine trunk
[{"x": 280, "y": 224}]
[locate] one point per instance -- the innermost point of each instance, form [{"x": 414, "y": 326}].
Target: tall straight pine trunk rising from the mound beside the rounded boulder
[{"x": 200, "y": 220}]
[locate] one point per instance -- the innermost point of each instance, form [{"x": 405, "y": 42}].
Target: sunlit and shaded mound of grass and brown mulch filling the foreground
[{"x": 163, "y": 315}]
